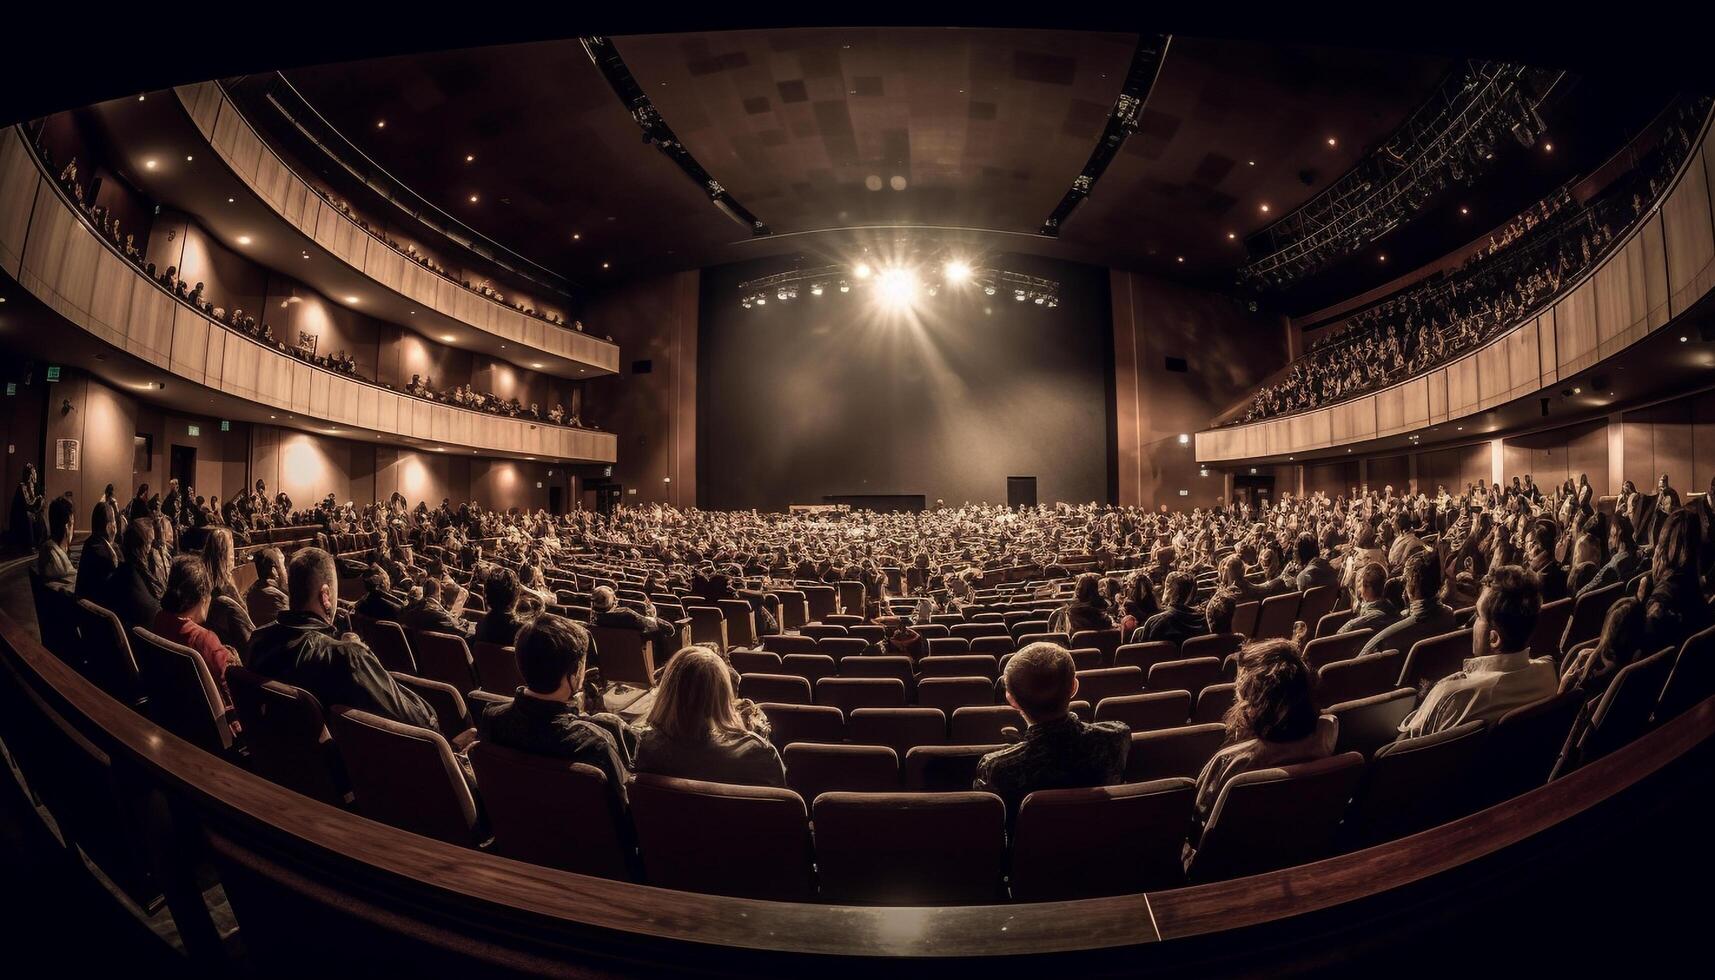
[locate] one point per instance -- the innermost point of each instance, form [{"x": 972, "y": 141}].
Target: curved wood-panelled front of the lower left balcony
[{"x": 51, "y": 250}]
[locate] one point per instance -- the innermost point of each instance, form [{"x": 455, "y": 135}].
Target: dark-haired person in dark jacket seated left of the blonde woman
[{"x": 543, "y": 717}]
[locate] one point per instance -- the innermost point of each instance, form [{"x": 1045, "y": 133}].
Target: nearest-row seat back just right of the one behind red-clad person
[{"x": 287, "y": 735}]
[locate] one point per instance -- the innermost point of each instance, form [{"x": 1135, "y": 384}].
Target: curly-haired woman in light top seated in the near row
[{"x": 1273, "y": 720}]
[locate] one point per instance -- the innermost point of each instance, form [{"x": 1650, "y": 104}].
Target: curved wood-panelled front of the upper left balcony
[{"x": 340, "y": 236}]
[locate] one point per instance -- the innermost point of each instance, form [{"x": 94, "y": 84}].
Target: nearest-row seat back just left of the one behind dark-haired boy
[{"x": 406, "y": 777}]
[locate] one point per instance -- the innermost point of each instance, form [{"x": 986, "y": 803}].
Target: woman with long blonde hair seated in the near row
[{"x": 699, "y": 730}]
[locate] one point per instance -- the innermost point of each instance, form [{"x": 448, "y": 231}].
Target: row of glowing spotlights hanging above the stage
[{"x": 901, "y": 284}]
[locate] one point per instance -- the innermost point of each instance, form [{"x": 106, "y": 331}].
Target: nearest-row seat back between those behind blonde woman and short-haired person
[{"x": 942, "y": 849}]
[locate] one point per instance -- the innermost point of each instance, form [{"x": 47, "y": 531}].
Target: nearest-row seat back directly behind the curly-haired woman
[{"x": 1272, "y": 820}]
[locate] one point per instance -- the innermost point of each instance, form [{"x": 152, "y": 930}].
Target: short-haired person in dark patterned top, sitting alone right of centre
[{"x": 1057, "y": 751}]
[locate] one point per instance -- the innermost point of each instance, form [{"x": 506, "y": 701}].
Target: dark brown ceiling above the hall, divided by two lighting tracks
[{"x": 827, "y": 130}]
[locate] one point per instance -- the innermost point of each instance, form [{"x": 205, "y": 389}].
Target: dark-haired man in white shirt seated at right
[{"x": 1500, "y": 675}]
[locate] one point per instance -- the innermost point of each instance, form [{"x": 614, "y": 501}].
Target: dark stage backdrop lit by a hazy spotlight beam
[{"x": 824, "y": 396}]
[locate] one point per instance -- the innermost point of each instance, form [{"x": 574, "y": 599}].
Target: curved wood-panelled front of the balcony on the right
[{"x": 1659, "y": 272}]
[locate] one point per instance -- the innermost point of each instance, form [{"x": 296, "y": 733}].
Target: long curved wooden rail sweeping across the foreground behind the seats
[{"x": 304, "y": 838}]
